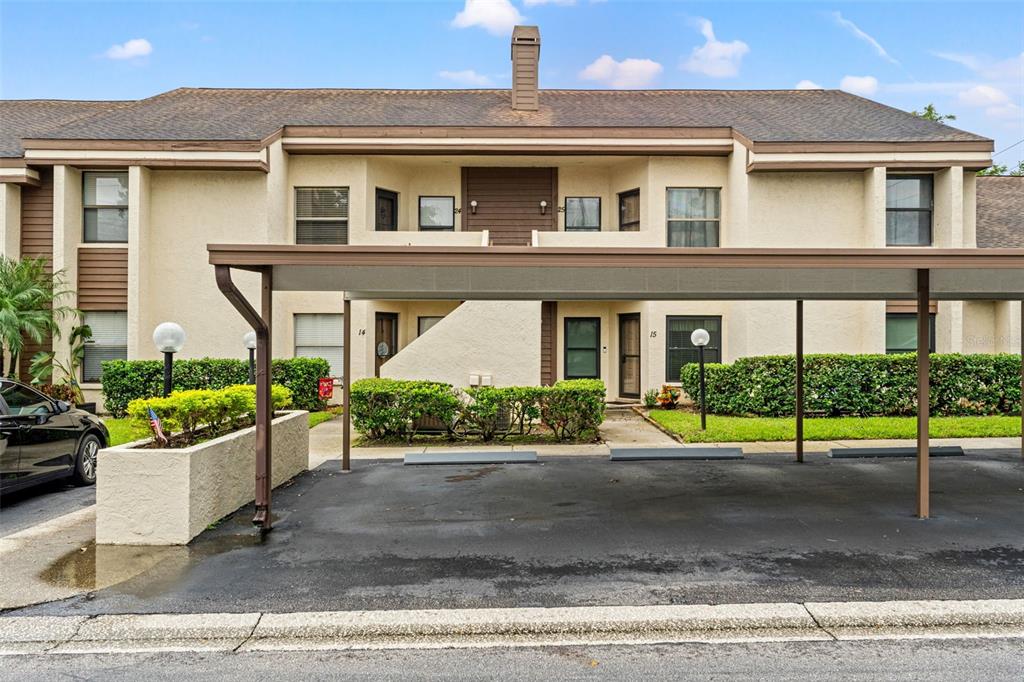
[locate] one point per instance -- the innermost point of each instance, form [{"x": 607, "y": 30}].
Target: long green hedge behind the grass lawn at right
[{"x": 861, "y": 386}]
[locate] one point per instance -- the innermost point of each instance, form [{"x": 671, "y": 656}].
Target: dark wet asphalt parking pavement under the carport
[{"x": 583, "y": 531}]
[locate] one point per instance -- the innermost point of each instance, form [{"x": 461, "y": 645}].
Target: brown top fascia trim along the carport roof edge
[{"x": 257, "y": 255}]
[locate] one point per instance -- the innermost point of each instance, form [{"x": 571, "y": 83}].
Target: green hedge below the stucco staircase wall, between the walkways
[{"x": 394, "y": 408}]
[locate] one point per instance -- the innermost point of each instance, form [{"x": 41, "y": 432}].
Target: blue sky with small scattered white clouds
[{"x": 968, "y": 59}]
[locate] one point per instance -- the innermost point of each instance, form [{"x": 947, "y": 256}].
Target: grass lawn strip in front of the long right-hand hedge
[{"x": 746, "y": 430}]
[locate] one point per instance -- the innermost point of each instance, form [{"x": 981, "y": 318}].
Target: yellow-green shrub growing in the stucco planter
[{"x": 212, "y": 412}]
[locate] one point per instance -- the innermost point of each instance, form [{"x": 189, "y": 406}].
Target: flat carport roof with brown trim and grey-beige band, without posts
[{"x": 631, "y": 274}]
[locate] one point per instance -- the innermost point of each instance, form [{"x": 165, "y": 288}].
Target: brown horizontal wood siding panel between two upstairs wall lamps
[{"x": 508, "y": 202}]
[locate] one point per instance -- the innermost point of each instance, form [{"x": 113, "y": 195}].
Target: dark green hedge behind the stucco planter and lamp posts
[{"x": 124, "y": 381}]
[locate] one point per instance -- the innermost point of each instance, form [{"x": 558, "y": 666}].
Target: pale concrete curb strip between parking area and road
[{"x": 511, "y": 627}]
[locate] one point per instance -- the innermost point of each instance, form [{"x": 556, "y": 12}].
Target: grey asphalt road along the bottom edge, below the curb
[{"x": 935, "y": 660}]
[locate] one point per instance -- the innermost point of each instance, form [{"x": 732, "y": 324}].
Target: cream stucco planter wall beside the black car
[{"x": 168, "y": 497}]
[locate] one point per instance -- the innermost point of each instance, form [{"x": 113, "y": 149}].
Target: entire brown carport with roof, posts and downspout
[{"x": 611, "y": 274}]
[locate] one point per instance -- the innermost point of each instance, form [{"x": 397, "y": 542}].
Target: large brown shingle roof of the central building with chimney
[{"x": 201, "y": 114}]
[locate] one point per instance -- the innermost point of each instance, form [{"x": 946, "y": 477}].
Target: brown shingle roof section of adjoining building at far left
[{"x": 21, "y": 119}]
